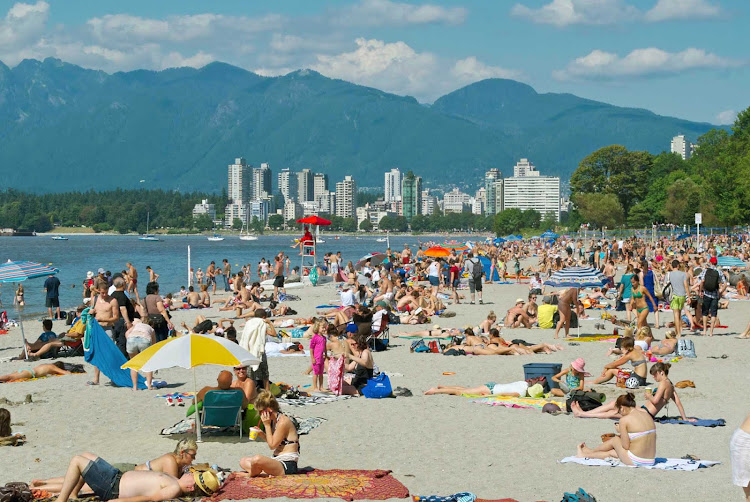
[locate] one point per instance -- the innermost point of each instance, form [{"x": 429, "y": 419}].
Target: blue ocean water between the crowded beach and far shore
[{"x": 168, "y": 258}]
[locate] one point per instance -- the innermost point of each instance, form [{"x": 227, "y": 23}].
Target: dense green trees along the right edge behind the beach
[{"x": 614, "y": 187}]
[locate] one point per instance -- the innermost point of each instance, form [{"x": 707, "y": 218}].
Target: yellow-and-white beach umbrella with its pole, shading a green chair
[{"x": 190, "y": 351}]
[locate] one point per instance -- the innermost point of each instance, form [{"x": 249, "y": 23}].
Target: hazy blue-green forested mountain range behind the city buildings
[{"x": 63, "y": 127}]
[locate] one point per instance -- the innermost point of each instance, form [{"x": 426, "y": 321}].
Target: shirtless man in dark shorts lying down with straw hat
[{"x": 109, "y": 483}]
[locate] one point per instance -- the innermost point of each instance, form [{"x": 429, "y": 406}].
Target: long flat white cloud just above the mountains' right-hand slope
[{"x": 600, "y": 65}]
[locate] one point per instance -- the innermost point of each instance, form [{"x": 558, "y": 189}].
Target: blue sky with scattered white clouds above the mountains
[{"x": 683, "y": 58}]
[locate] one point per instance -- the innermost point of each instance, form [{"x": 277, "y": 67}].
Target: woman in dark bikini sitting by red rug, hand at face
[{"x": 280, "y": 435}]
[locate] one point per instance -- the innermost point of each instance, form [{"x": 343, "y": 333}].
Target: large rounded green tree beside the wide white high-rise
[{"x": 614, "y": 170}]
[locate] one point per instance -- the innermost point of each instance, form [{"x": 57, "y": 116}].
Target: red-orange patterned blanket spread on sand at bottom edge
[{"x": 335, "y": 483}]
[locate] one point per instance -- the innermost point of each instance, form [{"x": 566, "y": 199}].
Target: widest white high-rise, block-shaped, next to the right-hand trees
[{"x": 533, "y": 191}]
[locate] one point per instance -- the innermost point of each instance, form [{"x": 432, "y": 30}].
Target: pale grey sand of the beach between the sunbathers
[{"x": 433, "y": 444}]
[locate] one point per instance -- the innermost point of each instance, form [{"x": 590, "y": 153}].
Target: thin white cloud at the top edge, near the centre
[{"x": 386, "y": 12}]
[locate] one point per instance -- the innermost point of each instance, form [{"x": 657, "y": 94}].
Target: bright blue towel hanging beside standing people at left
[{"x": 102, "y": 352}]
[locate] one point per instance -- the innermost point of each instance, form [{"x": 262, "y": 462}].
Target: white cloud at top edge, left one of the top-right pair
[{"x": 566, "y": 12}]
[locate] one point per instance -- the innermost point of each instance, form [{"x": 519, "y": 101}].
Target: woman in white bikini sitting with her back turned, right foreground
[{"x": 636, "y": 443}]
